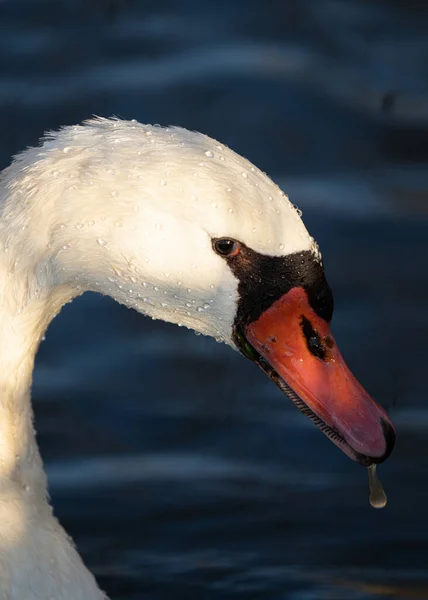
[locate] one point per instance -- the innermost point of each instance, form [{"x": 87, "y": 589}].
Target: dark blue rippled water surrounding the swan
[{"x": 178, "y": 468}]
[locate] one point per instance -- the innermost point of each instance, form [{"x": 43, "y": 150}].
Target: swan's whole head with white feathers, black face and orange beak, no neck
[{"x": 181, "y": 228}]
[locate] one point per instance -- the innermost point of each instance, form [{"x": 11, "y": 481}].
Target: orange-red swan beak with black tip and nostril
[{"x": 297, "y": 350}]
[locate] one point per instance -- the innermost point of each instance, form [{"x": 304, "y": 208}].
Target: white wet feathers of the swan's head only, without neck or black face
[{"x": 115, "y": 203}]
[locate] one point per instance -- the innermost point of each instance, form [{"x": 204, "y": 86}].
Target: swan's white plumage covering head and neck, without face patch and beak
[{"x": 128, "y": 210}]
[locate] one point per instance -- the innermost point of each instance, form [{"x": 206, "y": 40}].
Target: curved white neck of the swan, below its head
[{"x": 32, "y": 543}]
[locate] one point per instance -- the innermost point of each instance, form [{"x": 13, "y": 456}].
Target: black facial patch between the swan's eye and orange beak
[{"x": 264, "y": 279}]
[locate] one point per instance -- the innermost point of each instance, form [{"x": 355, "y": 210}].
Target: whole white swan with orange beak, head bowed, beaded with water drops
[{"x": 179, "y": 227}]
